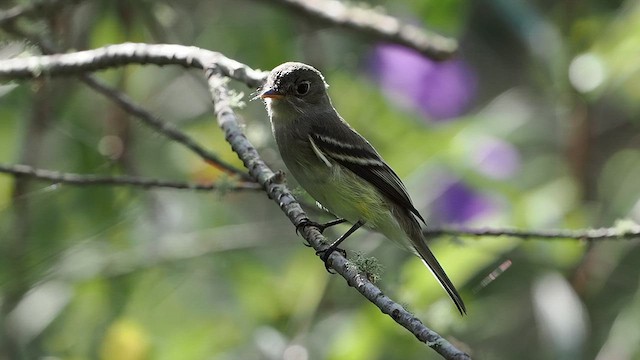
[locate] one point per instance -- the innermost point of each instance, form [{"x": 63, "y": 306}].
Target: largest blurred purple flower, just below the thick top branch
[{"x": 438, "y": 90}]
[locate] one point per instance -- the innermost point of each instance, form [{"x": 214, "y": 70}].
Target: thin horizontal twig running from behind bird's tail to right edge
[{"x": 614, "y": 233}]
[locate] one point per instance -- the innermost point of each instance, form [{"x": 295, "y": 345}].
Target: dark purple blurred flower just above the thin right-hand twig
[{"x": 458, "y": 204}]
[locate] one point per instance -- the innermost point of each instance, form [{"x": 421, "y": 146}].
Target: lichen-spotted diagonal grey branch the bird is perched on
[{"x": 277, "y": 190}]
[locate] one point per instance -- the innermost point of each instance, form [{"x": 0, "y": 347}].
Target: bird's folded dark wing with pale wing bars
[{"x": 351, "y": 150}]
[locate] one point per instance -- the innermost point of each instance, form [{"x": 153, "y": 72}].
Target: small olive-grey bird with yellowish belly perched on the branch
[{"x": 339, "y": 168}]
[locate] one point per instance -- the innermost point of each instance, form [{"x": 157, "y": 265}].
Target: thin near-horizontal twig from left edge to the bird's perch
[{"x": 89, "y": 180}]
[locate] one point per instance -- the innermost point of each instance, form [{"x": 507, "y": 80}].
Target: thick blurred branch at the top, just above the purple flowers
[{"x": 373, "y": 24}]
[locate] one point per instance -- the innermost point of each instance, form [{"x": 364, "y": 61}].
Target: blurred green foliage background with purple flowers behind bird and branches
[{"x": 534, "y": 125}]
